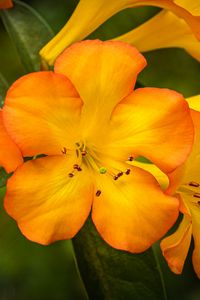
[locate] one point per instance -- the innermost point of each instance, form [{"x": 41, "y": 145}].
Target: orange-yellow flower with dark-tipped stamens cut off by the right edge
[{"x": 186, "y": 182}]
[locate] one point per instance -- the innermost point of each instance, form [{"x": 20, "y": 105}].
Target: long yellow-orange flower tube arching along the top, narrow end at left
[{"x": 94, "y": 13}]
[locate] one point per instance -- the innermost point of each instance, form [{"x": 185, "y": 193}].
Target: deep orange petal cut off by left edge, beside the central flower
[{"x": 10, "y": 156}]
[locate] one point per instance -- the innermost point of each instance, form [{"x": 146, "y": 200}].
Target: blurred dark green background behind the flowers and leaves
[{"x": 34, "y": 272}]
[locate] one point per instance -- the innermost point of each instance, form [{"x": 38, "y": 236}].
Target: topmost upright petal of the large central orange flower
[{"x": 103, "y": 74}]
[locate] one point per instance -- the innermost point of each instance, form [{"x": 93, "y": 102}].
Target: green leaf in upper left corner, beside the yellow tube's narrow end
[{"x": 29, "y": 32}]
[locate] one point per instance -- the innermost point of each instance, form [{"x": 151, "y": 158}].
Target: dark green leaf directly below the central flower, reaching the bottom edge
[{"x": 110, "y": 274}]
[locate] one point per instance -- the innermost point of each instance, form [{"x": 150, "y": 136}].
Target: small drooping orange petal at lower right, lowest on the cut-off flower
[{"x": 175, "y": 247}]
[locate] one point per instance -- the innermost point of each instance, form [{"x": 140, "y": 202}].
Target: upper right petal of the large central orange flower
[{"x": 154, "y": 123}]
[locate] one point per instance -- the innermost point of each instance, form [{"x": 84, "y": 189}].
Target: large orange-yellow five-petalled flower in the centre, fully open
[{"x": 89, "y": 123}]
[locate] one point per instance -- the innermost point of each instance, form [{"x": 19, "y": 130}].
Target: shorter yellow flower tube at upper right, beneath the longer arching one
[{"x": 164, "y": 30}]
